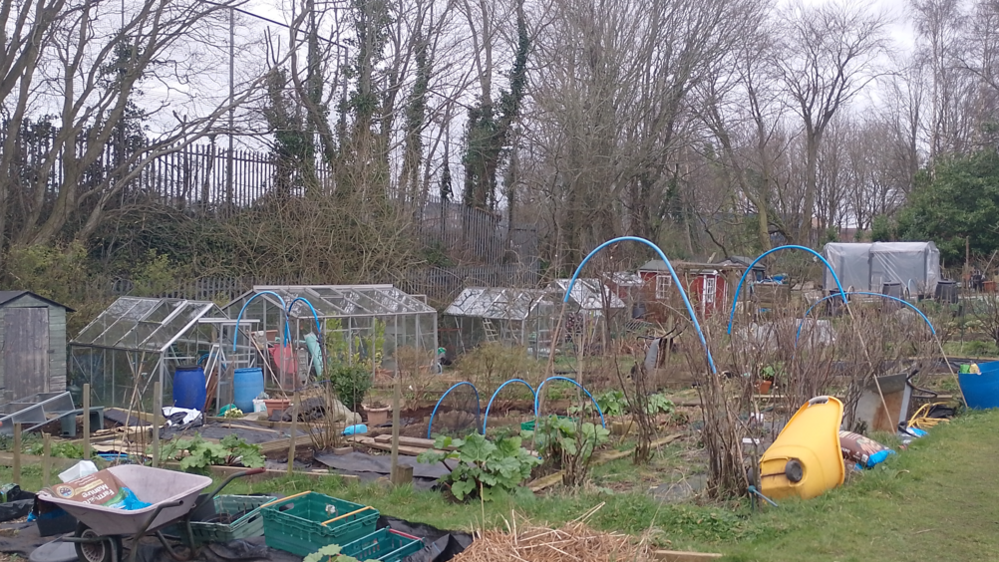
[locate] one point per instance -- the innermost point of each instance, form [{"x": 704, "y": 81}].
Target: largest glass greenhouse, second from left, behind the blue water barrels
[{"x": 369, "y": 324}]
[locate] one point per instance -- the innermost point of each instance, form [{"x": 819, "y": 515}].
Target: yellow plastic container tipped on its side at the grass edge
[{"x": 806, "y": 459}]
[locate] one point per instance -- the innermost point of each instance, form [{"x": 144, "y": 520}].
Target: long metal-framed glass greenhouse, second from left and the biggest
[{"x": 357, "y": 321}]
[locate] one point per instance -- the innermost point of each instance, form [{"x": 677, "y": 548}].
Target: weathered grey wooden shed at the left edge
[{"x": 32, "y": 345}]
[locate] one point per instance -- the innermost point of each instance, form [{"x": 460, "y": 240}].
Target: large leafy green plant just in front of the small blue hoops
[{"x": 482, "y": 464}]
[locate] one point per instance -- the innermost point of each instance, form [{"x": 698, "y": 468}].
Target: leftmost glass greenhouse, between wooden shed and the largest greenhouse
[{"x": 138, "y": 341}]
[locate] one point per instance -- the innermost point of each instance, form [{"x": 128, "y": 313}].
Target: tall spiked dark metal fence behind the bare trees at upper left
[{"x": 208, "y": 179}]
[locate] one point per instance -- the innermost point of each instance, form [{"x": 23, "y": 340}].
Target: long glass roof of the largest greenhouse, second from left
[{"x": 337, "y": 301}]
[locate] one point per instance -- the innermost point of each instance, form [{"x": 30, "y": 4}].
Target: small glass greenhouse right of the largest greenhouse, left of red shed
[{"x": 516, "y": 317}]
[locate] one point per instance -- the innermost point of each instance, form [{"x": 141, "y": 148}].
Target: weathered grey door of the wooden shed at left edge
[{"x": 25, "y": 351}]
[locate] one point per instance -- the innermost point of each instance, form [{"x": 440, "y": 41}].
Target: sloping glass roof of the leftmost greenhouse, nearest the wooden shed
[{"x": 144, "y": 324}]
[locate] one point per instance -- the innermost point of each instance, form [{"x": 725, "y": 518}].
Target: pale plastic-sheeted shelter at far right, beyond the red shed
[{"x": 914, "y": 266}]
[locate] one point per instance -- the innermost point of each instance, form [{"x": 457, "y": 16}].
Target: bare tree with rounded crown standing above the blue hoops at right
[{"x": 829, "y": 54}]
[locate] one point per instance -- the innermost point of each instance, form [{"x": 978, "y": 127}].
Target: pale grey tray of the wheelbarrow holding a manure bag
[{"x": 152, "y": 485}]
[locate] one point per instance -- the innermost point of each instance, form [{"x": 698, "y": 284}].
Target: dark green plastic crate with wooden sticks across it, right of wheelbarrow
[{"x": 304, "y": 523}]
